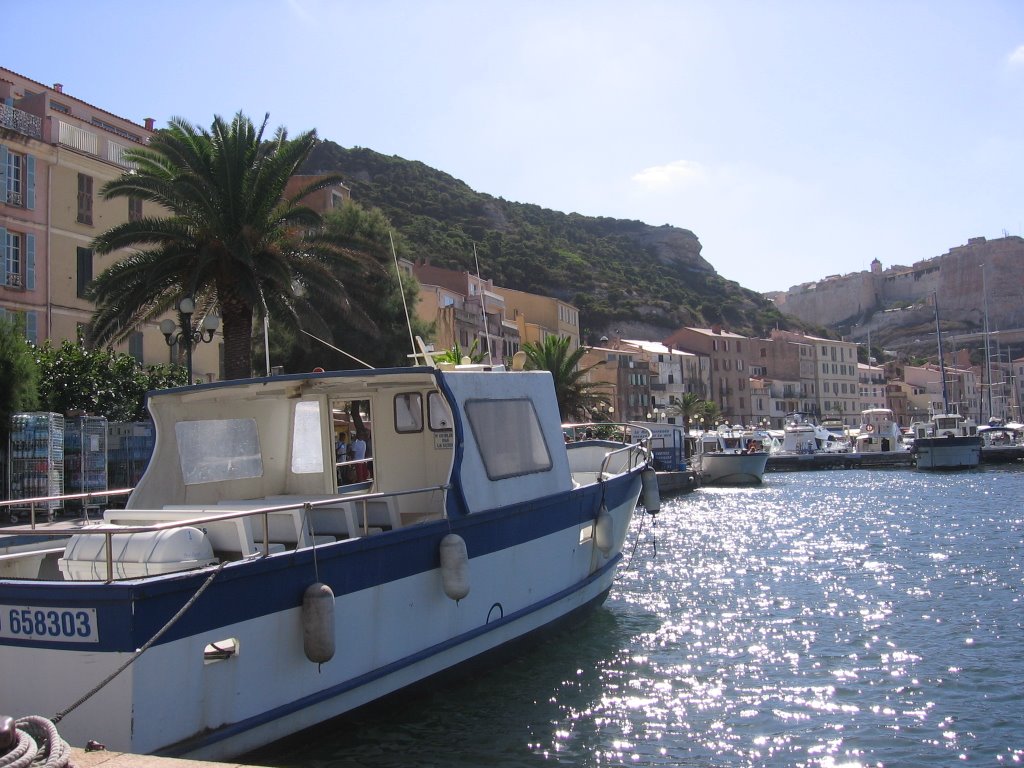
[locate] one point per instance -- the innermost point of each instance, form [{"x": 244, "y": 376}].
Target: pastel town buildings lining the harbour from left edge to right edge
[{"x": 58, "y": 152}]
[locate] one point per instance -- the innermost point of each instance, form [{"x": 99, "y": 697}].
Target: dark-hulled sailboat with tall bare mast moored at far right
[{"x": 949, "y": 440}]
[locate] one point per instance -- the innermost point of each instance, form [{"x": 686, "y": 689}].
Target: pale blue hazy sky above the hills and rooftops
[{"x": 796, "y": 139}]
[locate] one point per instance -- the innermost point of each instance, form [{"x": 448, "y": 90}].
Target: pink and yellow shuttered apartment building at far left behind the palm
[{"x": 57, "y": 152}]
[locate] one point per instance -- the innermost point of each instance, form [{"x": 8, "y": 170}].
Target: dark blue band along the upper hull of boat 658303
[{"x": 131, "y": 613}]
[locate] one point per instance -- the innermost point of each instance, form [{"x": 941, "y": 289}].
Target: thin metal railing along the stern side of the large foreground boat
[{"x": 202, "y": 519}]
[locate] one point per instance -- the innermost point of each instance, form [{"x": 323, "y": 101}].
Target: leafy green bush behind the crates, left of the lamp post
[{"x": 100, "y": 382}]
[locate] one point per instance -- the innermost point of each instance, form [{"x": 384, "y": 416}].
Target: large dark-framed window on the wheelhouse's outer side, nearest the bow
[{"x": 509, "y": 436}]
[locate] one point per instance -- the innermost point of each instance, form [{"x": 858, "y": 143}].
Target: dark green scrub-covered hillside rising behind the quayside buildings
[{"x": 621, "y": 275}]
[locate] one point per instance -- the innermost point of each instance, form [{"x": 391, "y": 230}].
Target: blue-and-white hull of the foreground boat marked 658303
[{"x": 530, "y": 567}]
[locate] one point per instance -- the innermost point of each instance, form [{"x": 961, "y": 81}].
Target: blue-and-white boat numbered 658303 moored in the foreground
[{"x": 241, "y": 596}]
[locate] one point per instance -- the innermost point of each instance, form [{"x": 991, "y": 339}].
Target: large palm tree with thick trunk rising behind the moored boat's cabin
[{"x": 232, "y": 241}]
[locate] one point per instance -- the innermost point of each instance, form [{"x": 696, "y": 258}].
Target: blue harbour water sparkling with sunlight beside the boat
[{"x": 859, "y": 618}]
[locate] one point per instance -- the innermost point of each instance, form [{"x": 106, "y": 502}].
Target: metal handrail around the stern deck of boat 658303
[{"x": 265, "y": 513}]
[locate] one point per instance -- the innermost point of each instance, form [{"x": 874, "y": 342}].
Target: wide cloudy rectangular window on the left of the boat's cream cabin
[{"x": 219, "y": 450}]
